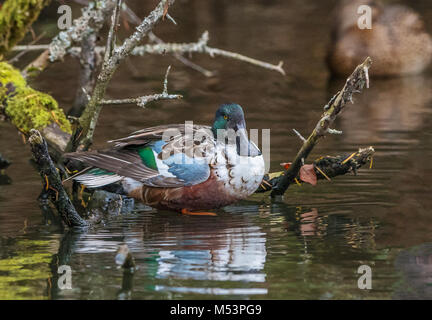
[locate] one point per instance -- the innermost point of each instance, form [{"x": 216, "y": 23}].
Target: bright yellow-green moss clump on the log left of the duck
[{"x": 26, "y": 107}]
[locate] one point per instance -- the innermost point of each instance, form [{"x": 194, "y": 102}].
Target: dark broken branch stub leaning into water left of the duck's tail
[{"x": 52, "y": 183}]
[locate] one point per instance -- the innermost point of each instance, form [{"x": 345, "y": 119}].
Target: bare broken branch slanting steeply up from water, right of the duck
[{"x": 354, "y": 84}]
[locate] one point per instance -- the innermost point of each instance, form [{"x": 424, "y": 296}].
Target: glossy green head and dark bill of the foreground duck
[{"x": 230, "y": 117}]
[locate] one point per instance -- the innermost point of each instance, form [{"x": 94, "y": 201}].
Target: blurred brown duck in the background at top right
[{"x": 398, "y": 43}]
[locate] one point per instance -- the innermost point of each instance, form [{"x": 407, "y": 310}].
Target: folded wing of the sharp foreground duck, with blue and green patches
[{"x": 180, "y": 160}]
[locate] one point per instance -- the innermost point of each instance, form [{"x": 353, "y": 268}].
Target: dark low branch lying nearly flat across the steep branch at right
[{"x": 324, "y": 168}]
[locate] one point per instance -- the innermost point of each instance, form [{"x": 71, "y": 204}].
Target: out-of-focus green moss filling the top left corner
[{"x": 16, "y": 16}]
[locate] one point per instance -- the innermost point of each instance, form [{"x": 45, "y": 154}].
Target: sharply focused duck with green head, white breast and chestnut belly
[{"x": 186, "y": 167}]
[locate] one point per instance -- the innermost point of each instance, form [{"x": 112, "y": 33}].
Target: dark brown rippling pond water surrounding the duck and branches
[{"x": 308, "y": 246}]
